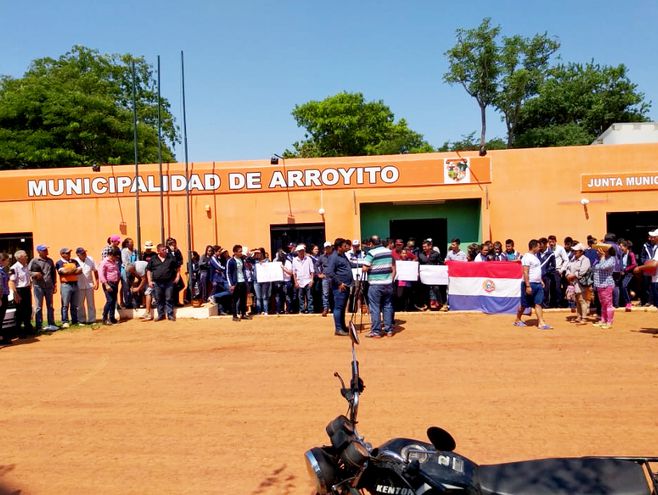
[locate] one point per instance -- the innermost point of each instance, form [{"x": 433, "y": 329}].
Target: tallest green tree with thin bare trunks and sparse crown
[{"x": 499, "y": 74}]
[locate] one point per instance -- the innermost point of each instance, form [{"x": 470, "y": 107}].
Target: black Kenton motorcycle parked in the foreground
[{"x": 404, "y": 466}]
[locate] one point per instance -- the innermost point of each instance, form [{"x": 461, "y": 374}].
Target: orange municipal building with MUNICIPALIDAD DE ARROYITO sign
[{"x": 516, "y": 194}]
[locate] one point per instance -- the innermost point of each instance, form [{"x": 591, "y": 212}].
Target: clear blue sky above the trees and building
[{"x": 248, "y": 63}]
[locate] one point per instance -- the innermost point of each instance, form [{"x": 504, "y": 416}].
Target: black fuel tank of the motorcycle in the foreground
[{"x": 455, "y": 473}]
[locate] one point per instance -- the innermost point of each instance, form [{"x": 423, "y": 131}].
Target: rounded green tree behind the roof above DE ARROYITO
[{"x": 347, "y": 125}]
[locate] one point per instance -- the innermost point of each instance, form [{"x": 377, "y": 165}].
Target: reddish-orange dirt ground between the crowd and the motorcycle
[{"x": 218, "y": 407}]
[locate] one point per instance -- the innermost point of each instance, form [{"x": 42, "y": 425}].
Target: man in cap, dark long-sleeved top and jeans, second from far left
[{"x": 44, "y": 283}]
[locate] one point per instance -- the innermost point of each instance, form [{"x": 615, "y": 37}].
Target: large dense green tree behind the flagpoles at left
[{"x": 77, "y": 110}]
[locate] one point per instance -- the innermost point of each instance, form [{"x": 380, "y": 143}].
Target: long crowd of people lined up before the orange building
[{"x": 337, "y": 277}]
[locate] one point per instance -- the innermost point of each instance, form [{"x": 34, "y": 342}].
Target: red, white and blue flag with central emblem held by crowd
[{"x": 490, "y": 287}]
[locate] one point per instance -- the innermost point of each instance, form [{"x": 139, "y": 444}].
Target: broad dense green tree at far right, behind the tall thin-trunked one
[{"x": 576, "y": 103}]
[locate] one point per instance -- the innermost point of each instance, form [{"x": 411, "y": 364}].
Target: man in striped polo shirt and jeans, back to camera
[{"x": 380, "y": 267}]
